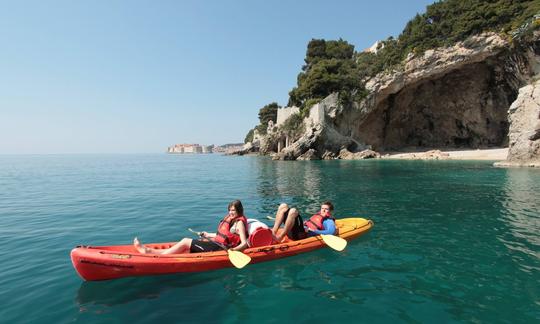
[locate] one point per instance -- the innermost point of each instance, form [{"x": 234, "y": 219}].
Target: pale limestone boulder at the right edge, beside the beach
[{"x": 524, "y": 135}]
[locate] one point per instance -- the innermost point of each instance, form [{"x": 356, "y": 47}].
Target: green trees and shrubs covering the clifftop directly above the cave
[{"x": 446, "y": 22}]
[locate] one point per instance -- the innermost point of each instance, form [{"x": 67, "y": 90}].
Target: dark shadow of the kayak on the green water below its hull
[{"x": 282, "y": 274}]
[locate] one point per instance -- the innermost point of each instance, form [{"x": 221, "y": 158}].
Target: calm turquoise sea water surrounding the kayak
[{"x": 452, "y": 242}]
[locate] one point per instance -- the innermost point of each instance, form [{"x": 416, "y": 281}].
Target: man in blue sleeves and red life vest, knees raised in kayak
[{"x": 296, "y": 229}]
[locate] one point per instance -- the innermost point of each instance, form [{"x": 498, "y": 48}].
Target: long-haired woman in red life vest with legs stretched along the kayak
[{"x": 223, "y": 239}]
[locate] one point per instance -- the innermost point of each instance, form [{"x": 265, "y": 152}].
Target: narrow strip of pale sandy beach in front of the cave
[{"x": 497, "y": 154}]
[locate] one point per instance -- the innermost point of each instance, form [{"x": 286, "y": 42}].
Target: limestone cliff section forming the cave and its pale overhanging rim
[{"x": 450, "y": 97}]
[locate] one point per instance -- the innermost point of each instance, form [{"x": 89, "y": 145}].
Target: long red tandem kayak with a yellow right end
[{"x": 118, "y": 261}]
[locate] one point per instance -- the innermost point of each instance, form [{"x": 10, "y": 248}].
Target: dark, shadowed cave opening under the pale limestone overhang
[{"x": 466, "y": 108}]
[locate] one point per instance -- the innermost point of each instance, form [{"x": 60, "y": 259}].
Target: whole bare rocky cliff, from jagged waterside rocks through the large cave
[{"x": 455, "y": 97}]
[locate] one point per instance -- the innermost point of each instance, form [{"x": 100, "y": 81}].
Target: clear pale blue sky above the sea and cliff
[{"x": 138, "y": 76}]
